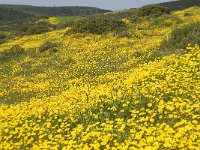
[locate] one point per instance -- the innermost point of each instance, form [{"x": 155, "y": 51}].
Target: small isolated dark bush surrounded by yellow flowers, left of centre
[{"x": 49, "y": 46}]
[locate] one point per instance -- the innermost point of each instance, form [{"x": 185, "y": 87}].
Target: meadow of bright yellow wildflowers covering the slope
[{"x": 101, "y": 91}]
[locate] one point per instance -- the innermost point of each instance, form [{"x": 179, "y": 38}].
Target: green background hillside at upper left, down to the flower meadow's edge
[{"x": 20, "y": 20}]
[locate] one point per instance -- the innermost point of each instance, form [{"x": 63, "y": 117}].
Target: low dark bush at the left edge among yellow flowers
[{"x": 13, "y": 52}]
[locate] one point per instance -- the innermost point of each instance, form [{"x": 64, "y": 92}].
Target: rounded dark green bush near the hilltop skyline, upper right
[{"x": 152, "y": 10}]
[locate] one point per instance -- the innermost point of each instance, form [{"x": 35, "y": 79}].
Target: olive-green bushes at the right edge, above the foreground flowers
[{"x": 179, "y": 39}]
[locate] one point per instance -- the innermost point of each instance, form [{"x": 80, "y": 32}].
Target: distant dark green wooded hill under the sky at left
[{"x": 9, "y": 12}]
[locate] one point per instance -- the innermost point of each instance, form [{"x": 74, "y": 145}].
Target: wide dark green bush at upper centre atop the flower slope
[{"x": 97, "y": 26}]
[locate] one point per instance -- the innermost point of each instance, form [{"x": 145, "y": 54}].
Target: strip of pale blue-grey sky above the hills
[{"x": 105, "y": 4}]
